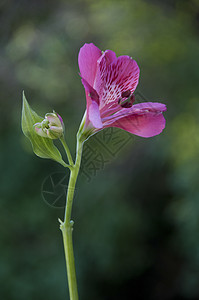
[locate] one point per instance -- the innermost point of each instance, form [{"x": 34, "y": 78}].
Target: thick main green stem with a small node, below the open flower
[{"x": 67, "y": 226}]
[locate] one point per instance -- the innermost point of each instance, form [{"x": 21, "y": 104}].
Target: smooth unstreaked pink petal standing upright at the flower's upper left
[{"x": 87, "y": 59}]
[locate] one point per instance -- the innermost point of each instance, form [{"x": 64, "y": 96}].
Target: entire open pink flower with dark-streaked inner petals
[{"x": 110, "y": 82}]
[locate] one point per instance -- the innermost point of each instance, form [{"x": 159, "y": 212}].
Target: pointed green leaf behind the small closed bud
[{"x": 42, "y": 147}]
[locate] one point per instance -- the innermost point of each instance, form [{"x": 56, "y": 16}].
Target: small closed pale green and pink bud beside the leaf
[{"x": 51, "y": 127}]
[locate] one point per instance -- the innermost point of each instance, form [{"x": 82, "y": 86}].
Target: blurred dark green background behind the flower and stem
[{"x": 136, "y": 219}]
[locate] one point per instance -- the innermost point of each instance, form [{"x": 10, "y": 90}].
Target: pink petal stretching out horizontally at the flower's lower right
[{"x": 144, "y": 119}]
